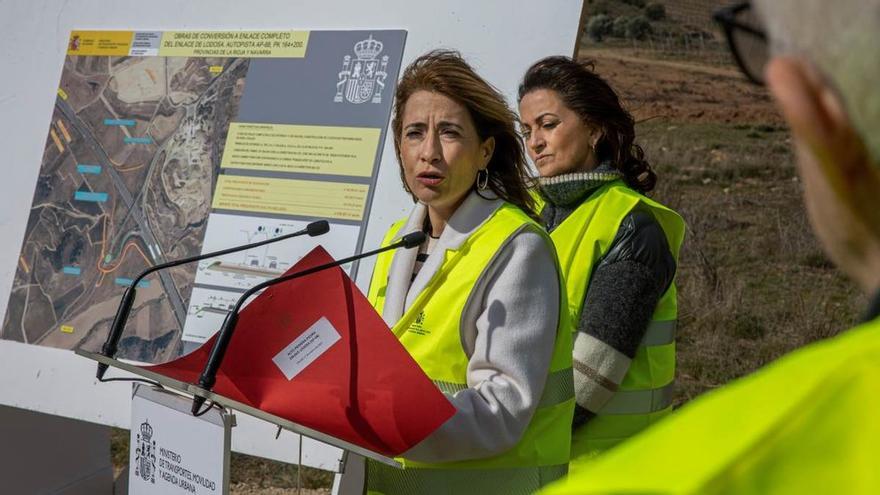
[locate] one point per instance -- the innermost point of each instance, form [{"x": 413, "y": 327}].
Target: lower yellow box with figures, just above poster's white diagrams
[{"x": 291, "y": 197}]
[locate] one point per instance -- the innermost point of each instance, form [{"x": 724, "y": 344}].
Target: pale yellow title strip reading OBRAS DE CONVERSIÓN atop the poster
[{"x": 255, "y": 44}]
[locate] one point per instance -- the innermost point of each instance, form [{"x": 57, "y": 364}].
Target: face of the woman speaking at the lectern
[{"x": 440, "y": 150}]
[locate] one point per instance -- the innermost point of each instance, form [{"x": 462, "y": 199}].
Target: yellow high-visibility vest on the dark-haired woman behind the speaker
[{"x": 582, "y": 240}]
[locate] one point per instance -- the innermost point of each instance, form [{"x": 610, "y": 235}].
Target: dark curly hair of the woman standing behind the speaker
[{"x": 588, "y": 95}]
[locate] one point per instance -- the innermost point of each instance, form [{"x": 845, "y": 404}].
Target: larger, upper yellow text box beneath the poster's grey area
[{"x": 301, "y": 148}]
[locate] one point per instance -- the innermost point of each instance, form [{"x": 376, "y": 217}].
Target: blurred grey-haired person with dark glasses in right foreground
[{"x": 806, "y": 423}]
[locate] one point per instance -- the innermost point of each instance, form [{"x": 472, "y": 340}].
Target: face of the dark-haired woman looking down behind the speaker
[{"x": 557, "y": 140}]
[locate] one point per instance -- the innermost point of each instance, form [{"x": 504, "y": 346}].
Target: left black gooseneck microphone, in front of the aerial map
[{"x": 111, "y": 344}]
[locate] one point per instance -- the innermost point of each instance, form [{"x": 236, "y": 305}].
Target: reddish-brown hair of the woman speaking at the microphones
[{"x": 446, "y": 72}]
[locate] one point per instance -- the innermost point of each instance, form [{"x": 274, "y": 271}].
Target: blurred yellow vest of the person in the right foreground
[{"x": 806, "y": 423}]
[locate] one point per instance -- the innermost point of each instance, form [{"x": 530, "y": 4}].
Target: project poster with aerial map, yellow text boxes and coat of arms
[{"x": 164, "y": 145}]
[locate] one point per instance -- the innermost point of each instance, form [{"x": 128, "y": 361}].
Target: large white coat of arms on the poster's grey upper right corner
[{"x": 363, "y": 79}]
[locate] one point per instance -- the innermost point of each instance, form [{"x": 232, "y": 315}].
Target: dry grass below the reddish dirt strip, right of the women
[{"x": 753, "y": 281}]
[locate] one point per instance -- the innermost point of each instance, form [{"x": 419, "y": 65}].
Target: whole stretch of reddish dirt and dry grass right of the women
[{"x": 753, "y": 282}]
